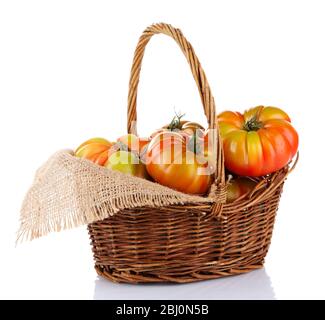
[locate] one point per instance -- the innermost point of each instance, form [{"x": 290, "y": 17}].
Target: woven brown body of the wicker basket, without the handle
[{"x": 184, "y": 243}]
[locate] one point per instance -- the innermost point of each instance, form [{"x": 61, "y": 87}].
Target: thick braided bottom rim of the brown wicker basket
[{"x": 132, "y": 277}]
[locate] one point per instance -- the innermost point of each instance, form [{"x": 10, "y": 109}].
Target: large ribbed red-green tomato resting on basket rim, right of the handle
[{"x": 258, "y": 142}]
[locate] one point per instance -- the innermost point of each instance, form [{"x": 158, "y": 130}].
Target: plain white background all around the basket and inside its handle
[{"x": 64, "y": 68}]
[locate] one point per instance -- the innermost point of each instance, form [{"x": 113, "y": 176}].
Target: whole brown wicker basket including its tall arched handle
[{"x": 186, "y": 243}]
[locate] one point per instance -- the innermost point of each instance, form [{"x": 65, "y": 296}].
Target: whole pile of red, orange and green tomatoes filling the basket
[{"x": 181, "y": 155}]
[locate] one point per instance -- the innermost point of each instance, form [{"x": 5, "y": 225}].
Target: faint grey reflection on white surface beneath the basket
[{"x": 253, "y": 285}]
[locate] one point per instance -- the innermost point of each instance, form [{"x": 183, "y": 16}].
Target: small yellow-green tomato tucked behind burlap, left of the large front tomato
[{"x": 126, "y": 162}]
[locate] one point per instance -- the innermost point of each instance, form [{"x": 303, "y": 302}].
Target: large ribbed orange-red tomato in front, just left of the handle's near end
[{"x": 171, "y": 163}]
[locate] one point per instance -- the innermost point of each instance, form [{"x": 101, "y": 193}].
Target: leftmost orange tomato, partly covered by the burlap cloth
[{"x": 95, "y": 150}]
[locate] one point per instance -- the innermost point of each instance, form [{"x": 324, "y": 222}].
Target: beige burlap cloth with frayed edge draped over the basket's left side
[{"x": 69, "y": 192}]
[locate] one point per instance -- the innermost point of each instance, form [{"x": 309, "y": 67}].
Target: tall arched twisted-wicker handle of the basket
[{"x": 199, "y": 77}]
